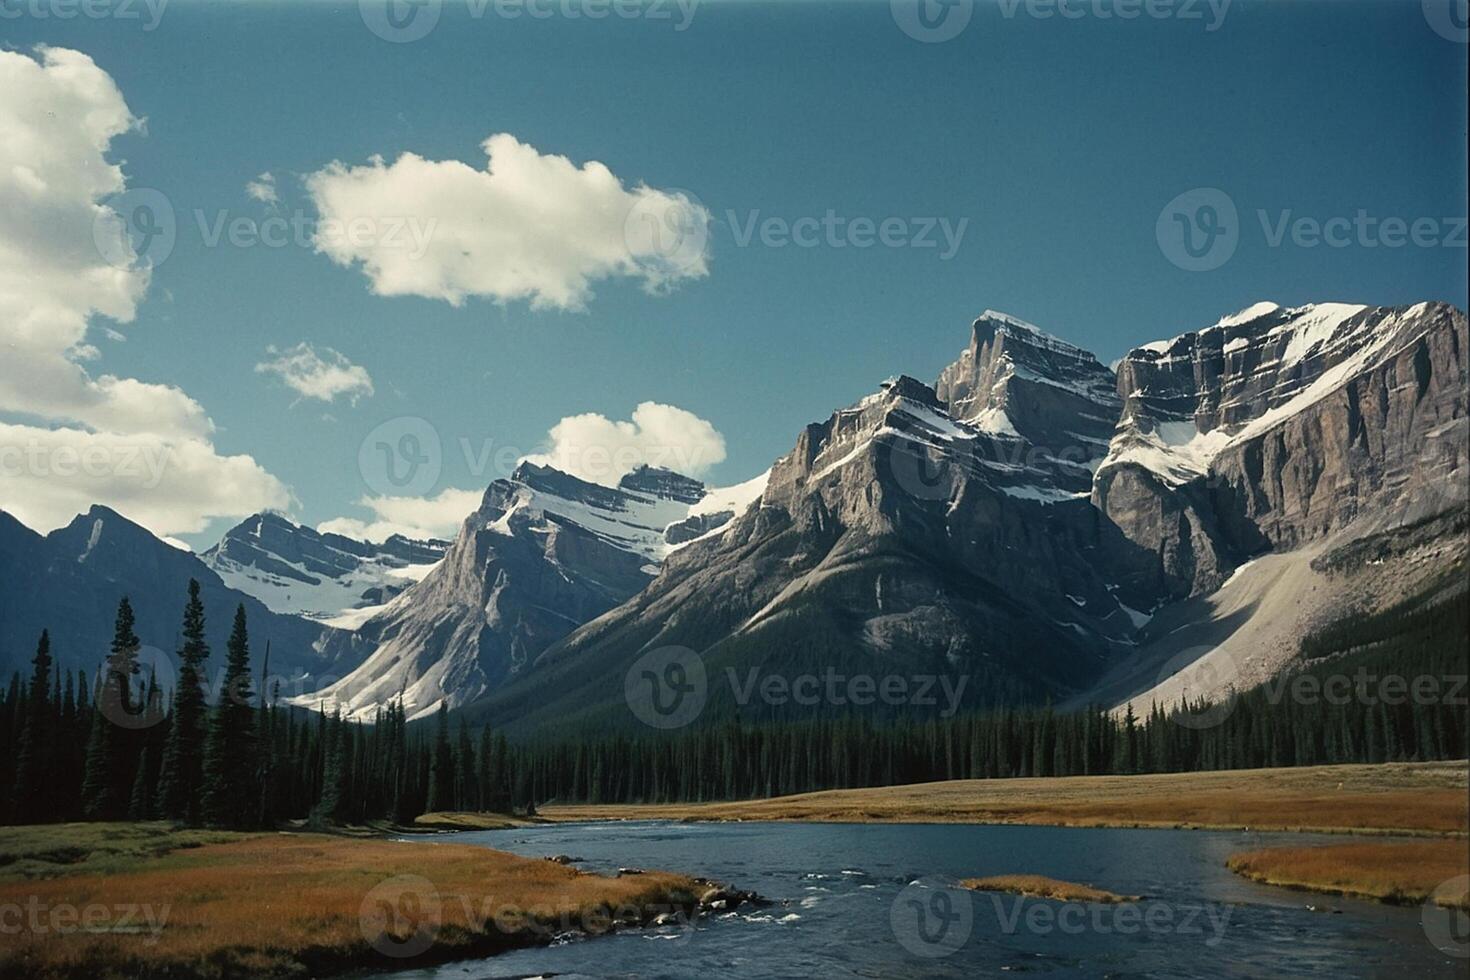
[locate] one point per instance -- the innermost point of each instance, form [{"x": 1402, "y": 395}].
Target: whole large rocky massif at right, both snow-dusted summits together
[{"x": 1034, "y": 528}]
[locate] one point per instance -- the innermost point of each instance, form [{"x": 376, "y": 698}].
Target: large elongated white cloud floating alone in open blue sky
[{"x": 528, "y": 227}]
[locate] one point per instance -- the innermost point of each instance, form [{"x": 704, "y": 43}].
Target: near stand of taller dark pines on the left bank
[{"x": 118, "y": 747}]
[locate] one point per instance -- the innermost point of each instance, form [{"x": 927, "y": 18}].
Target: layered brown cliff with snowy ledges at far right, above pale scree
[{"x": 1274, "y": 428}]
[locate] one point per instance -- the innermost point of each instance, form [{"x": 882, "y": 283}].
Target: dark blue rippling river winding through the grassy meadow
[{"x": 878, "y": 901}]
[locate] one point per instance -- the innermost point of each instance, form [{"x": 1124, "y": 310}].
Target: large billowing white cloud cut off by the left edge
[{"x": 70, "y": 440}]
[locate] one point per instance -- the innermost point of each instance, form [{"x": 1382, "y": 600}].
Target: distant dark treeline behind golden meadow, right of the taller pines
[{"x": 1378, "y": 688}]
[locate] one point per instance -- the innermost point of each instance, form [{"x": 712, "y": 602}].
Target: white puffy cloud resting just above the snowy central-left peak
[{"x": 600, "y": 450}]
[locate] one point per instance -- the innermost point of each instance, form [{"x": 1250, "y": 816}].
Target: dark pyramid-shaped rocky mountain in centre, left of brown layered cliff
[{"x": 899, "y": 537}]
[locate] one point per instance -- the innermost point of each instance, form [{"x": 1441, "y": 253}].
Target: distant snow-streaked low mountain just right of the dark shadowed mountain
[{"x": 330, "y": 578}]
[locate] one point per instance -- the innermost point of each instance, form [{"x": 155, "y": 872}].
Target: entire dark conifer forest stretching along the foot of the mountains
[{"x": 118, "y": 747}]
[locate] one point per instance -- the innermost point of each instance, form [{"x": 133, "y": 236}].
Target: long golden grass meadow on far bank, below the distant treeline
[{"x": 1393, "y": 799}]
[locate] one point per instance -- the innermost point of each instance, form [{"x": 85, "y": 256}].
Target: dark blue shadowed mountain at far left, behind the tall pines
[{"x": 71, "y": 581}]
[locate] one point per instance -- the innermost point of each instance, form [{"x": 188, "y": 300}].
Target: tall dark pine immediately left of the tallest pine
[{"x": 110, "y": 768}]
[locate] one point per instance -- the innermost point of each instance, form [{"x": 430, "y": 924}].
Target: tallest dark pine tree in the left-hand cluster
[{"x": 183, "y": 775}]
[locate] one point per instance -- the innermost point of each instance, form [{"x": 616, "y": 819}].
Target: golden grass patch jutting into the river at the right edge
[{"x": 1403, "y": 873}]
